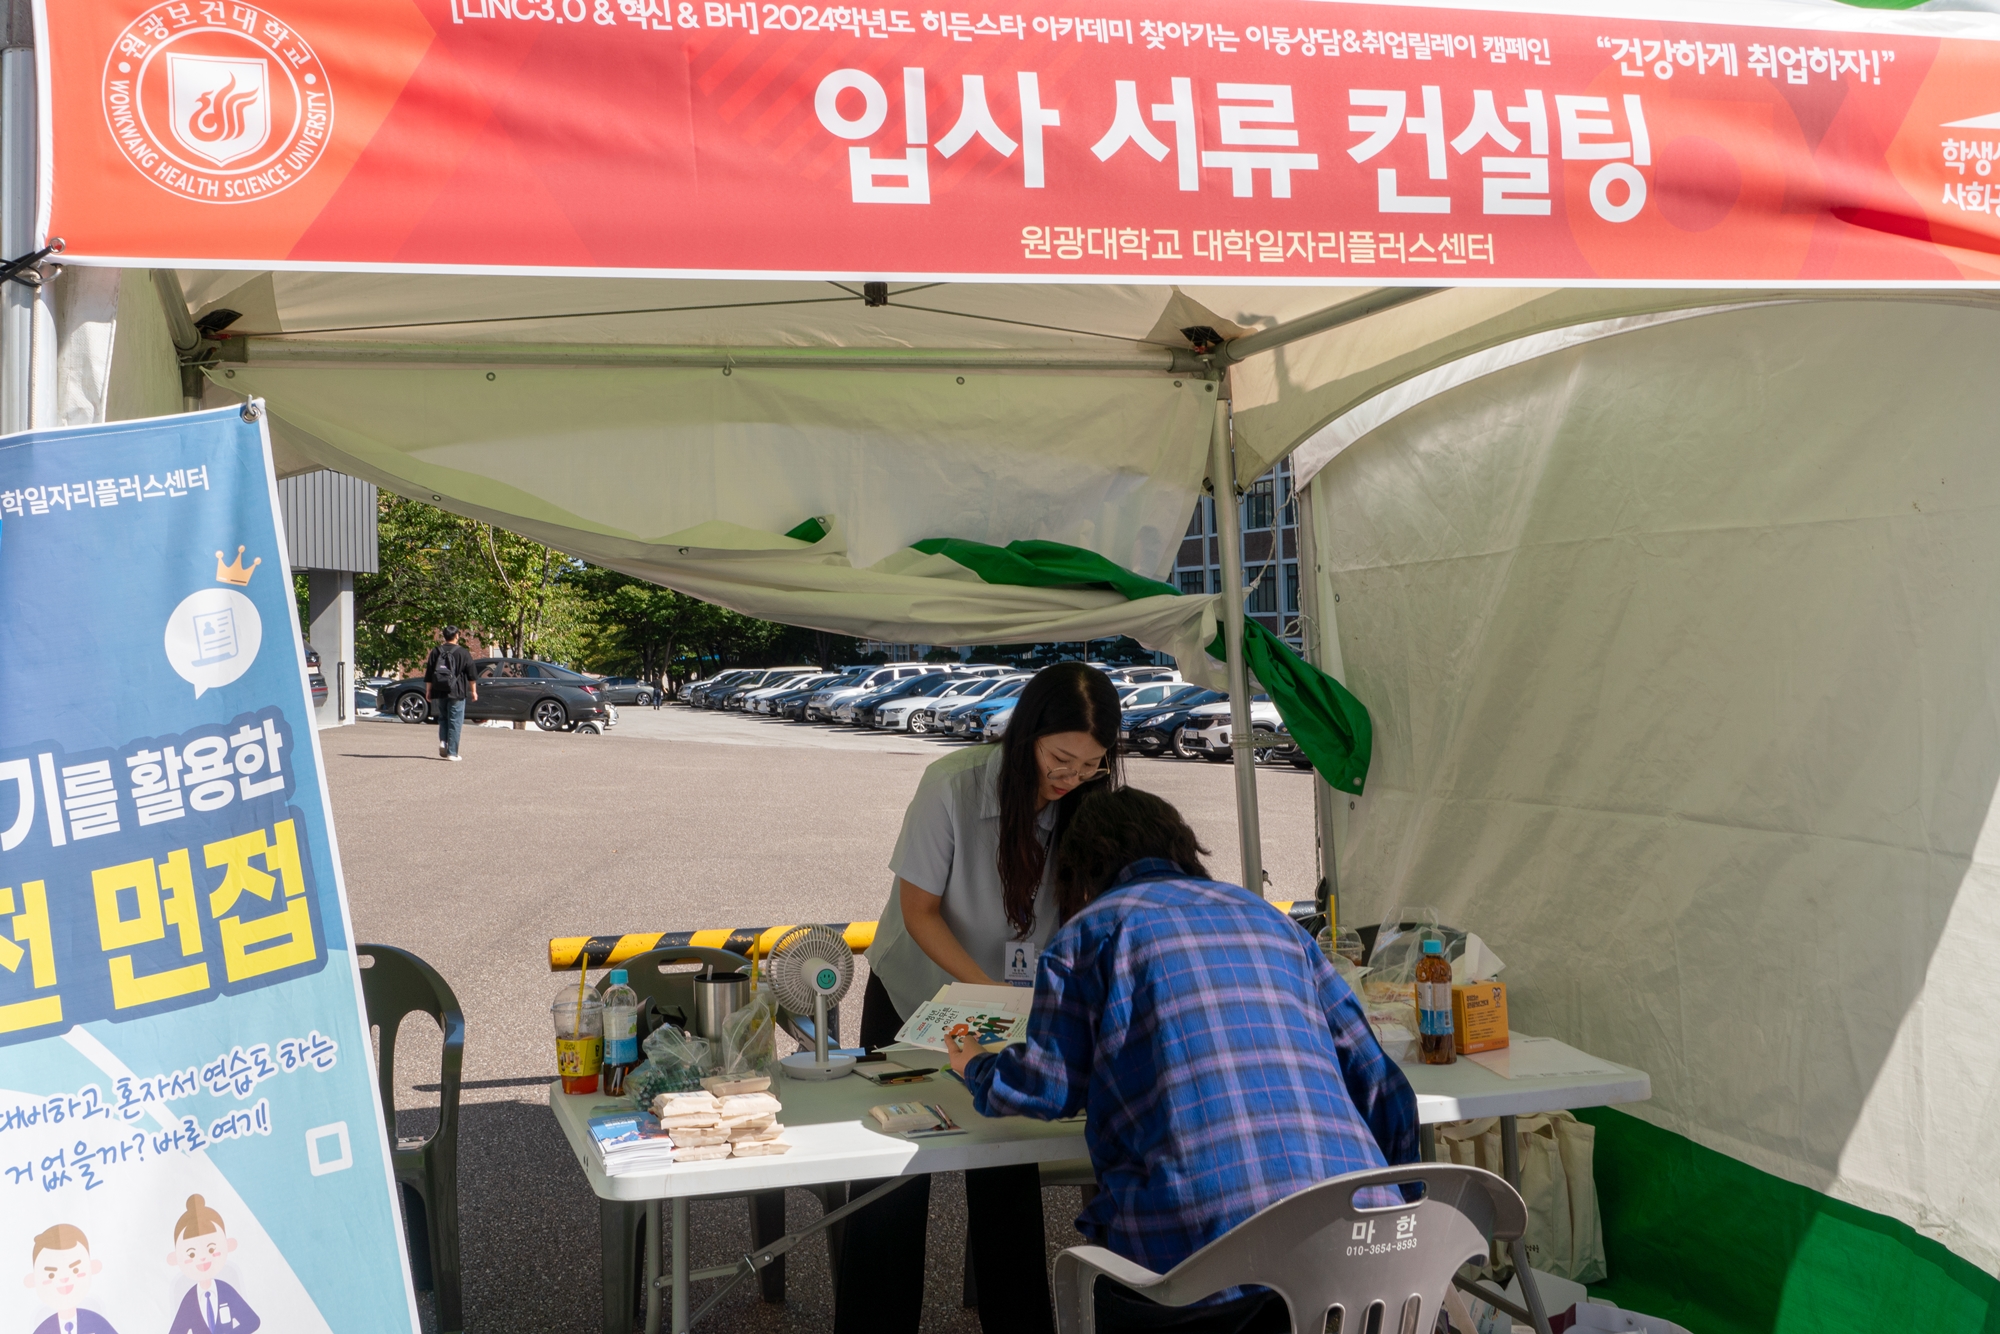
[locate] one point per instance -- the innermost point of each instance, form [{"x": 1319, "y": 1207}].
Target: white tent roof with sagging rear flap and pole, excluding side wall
[{"x": 677, "y": 431}]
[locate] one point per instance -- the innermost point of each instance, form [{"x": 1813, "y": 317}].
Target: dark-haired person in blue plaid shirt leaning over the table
[{"x": 1221, "y": 1059}]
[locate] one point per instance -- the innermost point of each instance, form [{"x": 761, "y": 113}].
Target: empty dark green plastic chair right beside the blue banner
[{"x": 397, "y": 983}]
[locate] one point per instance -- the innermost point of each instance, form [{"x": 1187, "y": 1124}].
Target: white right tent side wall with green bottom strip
[{"x": 1685, "y": 669}]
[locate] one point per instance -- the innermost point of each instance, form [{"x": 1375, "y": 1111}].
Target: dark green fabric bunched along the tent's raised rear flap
[{"x": 1329, "y": 725}]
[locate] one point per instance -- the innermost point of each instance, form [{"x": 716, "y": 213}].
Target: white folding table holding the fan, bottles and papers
[{"x": 835, "y": 1143}]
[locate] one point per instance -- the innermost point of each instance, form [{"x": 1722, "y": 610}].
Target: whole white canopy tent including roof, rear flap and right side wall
[{"x": 1607, "y": 563}]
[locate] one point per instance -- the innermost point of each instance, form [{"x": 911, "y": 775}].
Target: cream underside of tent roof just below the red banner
[{"x": 639, "y": 327}]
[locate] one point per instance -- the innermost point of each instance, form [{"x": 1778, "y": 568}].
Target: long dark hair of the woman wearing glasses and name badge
[{"x": 1067, "y": 697}]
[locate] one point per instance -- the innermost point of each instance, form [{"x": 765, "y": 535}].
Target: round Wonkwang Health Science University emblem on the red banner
[{"x": 219, "y": 105}]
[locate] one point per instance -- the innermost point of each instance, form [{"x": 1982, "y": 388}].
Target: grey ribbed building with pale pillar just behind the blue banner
[{"x": 331, "y": 535}]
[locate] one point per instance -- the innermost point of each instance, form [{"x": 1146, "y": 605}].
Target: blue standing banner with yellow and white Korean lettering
[{"x": 189, "y": 1123}]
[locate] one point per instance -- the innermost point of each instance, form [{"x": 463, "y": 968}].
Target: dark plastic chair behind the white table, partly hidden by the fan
[{"x": 621, "y": 1223}]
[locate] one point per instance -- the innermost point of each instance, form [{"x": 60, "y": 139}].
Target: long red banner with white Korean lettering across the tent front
[{"x": 1105, "y": 139}]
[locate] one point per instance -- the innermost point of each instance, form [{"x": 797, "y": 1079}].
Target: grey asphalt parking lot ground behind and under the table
[{"x": 675, "y": 821}]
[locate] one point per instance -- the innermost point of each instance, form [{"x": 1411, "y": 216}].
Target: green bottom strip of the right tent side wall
[{"x": 1725, "y": 1249}]
